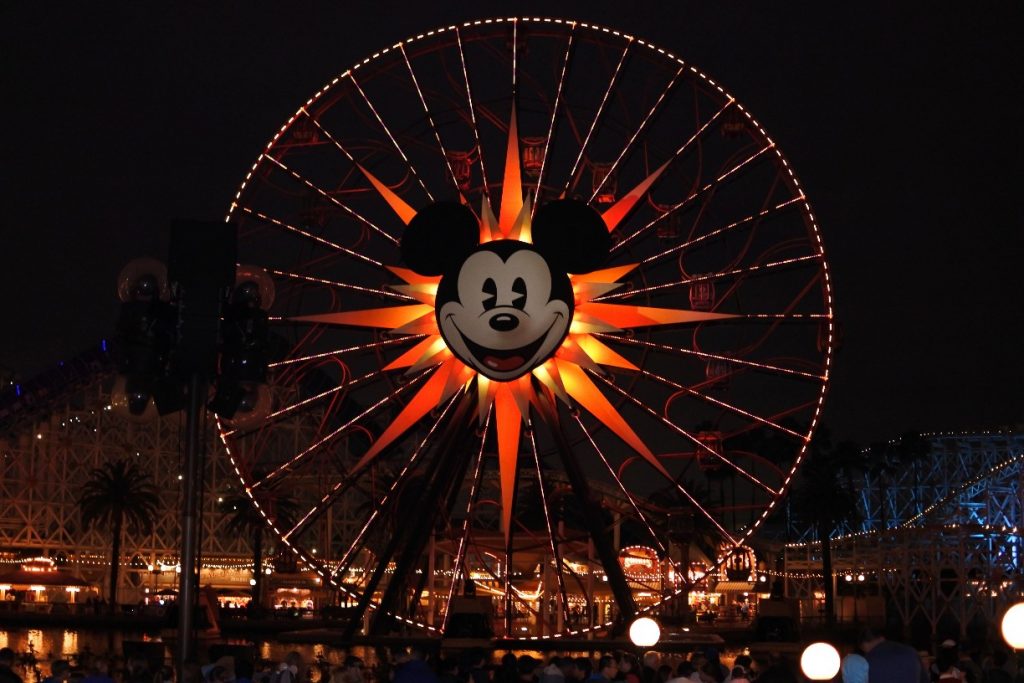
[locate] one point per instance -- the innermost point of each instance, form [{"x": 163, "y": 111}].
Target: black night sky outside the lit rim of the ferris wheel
[{"x": 904, "y": 123}]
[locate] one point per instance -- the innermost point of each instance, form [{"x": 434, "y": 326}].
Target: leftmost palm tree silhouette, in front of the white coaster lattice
[{"x": 119, "y": 495}]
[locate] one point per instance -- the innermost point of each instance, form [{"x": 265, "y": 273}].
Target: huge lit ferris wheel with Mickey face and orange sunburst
[{"x": 523, "y": 267}]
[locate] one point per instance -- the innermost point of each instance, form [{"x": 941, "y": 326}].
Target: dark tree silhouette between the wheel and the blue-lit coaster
[{"x": 825, "y": 500}]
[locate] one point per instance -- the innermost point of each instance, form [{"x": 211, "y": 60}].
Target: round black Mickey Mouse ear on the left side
[{"x": 439, "y": 238}]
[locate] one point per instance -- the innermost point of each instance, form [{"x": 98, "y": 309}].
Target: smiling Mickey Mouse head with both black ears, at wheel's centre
[{"x": 505, "y": 307}]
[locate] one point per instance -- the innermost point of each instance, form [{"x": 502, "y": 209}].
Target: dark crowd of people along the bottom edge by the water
[{"x": 874, "y": 659}]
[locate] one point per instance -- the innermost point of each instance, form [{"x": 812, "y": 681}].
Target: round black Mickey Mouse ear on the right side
[{"x": 572, "y": 236}]
